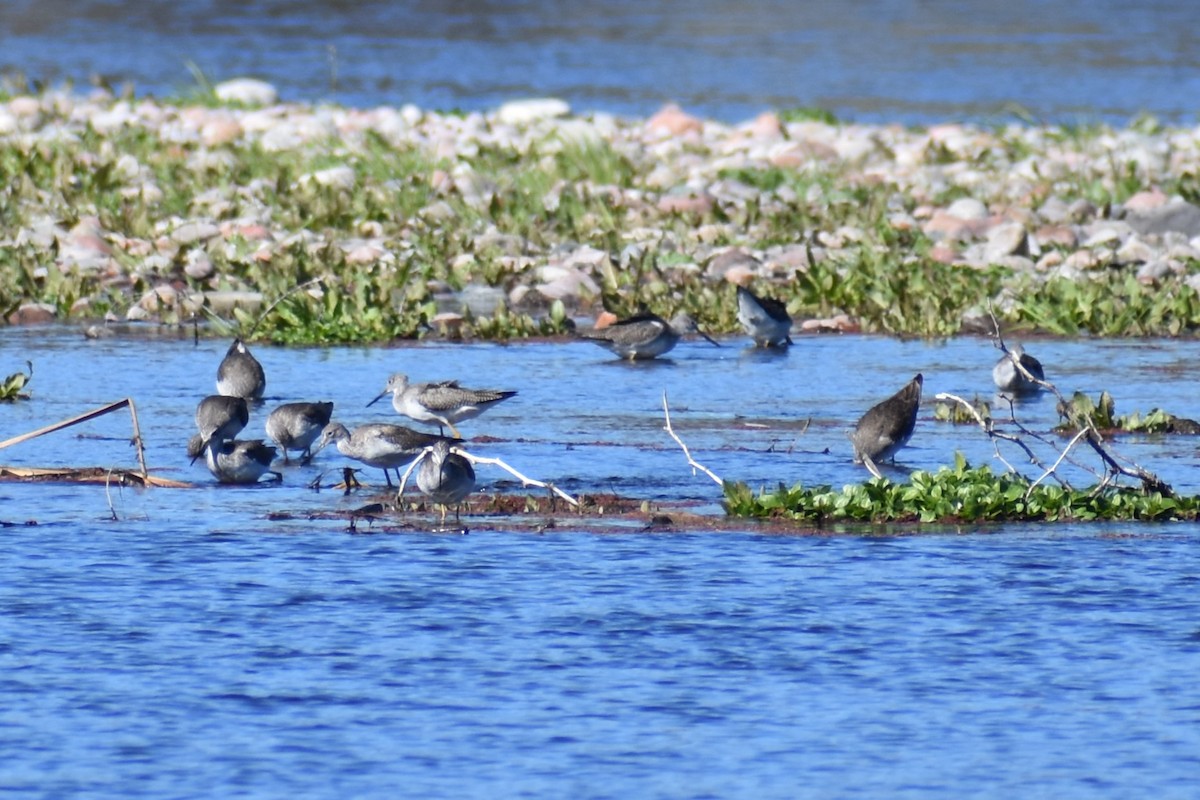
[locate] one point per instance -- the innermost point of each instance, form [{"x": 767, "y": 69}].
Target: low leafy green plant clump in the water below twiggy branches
[{"x": 958, "y": 495}]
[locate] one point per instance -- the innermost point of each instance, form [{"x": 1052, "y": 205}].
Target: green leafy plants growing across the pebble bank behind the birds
[{"x": 385, "y": 222}]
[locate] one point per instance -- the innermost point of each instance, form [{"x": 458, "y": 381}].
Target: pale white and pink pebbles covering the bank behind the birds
[{"x": 686, "y": 167}]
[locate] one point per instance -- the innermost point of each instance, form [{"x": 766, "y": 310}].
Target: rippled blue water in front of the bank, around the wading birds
[{"x": 195, "y": 647}]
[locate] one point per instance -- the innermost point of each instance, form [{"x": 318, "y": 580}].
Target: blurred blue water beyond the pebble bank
[{"x": 874, "y": 61}]
